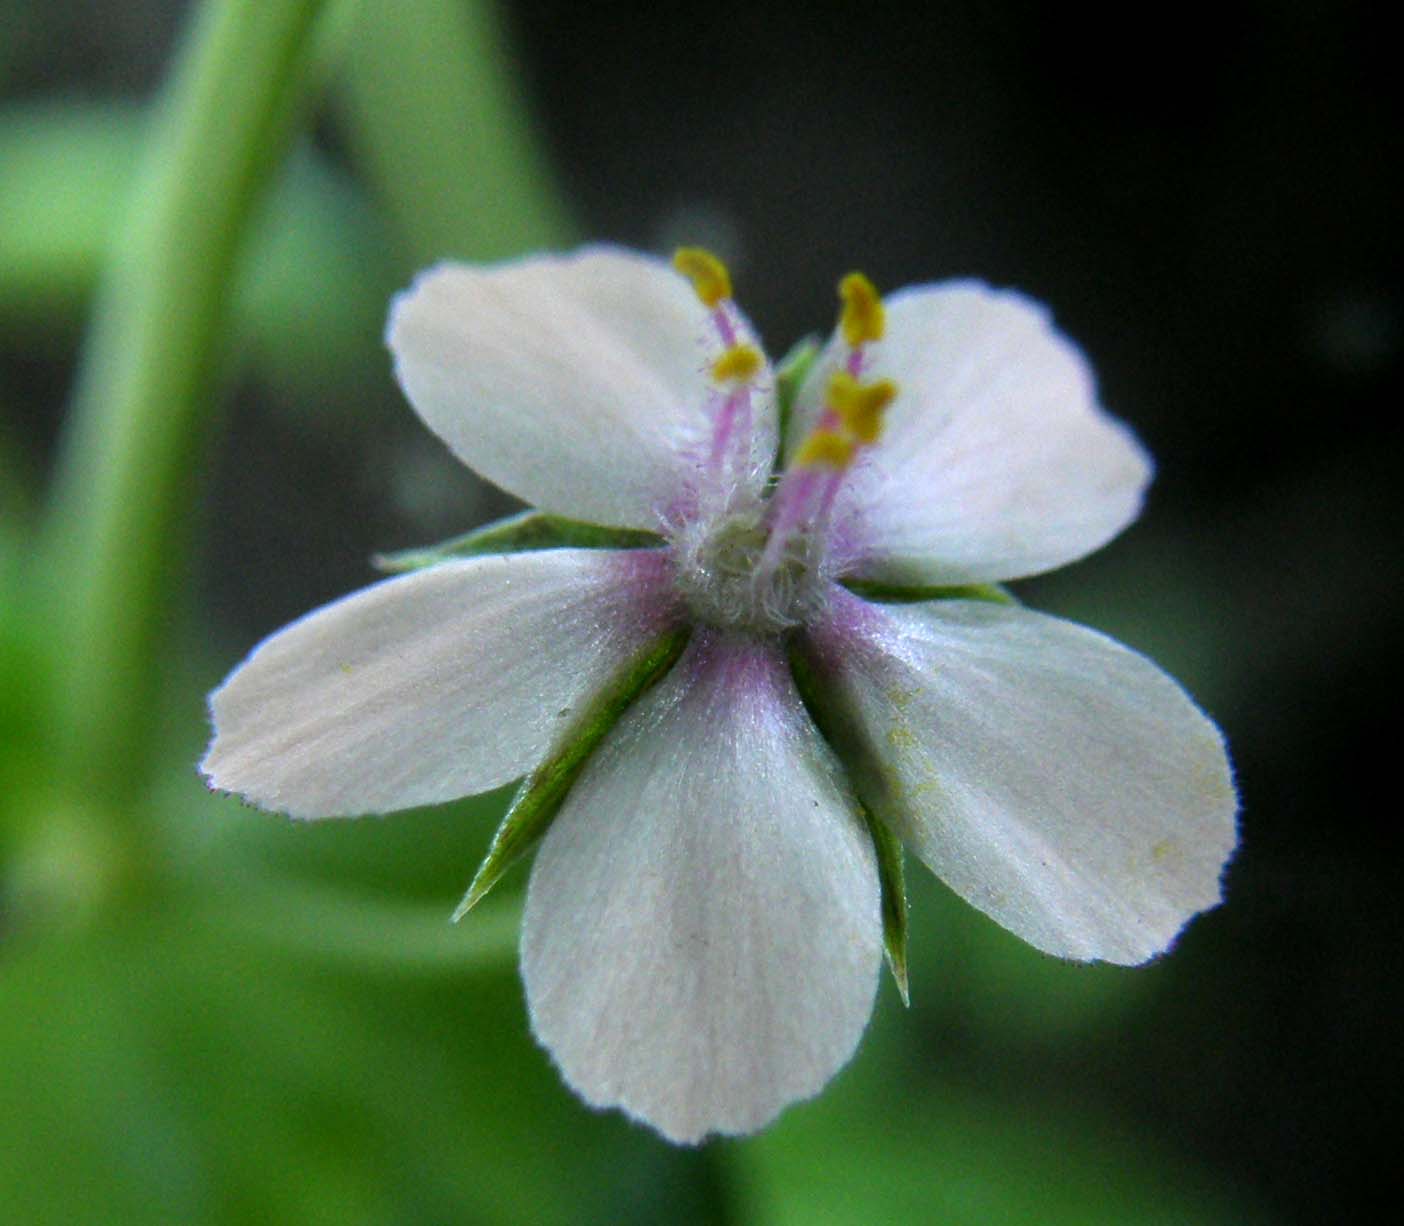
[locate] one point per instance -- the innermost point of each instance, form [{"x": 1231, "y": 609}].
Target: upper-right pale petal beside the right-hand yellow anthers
[{"x": 996, "y": 460}]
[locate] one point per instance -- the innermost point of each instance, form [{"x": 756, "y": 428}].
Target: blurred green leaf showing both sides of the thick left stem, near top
[{"x": 312, "y": 289}]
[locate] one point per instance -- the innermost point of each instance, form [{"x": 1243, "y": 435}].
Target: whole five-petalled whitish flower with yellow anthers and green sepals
[{"x": 762, "y": 650}]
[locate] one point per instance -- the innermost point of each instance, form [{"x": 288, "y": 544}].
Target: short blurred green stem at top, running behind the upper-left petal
[{"x": 439, "y": 126}]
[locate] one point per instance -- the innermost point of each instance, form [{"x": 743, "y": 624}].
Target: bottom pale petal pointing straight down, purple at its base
[{"x": 703, "y": 930}]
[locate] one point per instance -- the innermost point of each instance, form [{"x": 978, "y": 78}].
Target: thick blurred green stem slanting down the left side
[{"x": 116, "y": 539}]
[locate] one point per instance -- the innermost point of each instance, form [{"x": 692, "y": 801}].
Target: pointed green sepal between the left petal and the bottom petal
[{"x": 544, "y": 791}]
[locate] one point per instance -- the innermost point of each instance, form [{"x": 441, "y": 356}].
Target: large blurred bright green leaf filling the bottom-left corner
[{"x": 171, "y": 1069}]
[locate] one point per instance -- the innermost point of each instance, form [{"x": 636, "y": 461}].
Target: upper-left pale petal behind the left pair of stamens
[{"x": 576, "y": 383}]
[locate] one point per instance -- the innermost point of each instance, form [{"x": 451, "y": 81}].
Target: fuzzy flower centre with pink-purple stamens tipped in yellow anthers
[{"x": 752, "y": 560}]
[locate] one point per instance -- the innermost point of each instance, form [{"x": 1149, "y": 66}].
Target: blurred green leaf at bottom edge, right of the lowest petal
[{"x": 892, "y": 1142}]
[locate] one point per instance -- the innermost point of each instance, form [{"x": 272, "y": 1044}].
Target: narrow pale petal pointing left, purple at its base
[{"x": 435, "y": 685}]
